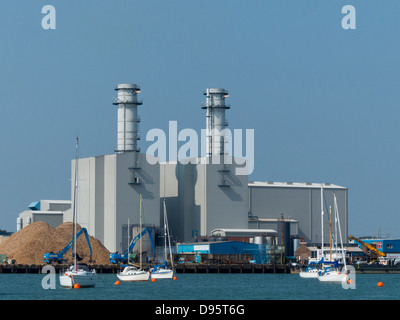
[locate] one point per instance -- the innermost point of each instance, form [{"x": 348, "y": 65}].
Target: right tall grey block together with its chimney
[{"x": 206, "y": 193}]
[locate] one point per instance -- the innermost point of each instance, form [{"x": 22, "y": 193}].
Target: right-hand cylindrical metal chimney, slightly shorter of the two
[{"x": 215, "y": 121}]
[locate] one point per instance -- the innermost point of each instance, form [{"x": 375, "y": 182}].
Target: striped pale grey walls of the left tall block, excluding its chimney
[{"x": 109, "y": 188}]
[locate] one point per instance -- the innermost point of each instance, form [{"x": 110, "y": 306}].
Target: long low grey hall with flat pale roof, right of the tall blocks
[{"x": 300, "y": 206}]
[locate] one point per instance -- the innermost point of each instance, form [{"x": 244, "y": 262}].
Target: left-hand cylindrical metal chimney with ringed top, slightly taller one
[{"x": 128, "y": 120}]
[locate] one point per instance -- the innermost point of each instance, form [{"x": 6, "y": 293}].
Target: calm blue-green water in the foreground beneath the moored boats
[{"x": 205, "y": 287}]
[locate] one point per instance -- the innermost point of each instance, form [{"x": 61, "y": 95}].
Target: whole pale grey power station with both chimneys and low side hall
[{"x": 202, "y": 195}]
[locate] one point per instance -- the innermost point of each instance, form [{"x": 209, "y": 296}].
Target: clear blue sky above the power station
[{"x": 323, "y": 101}]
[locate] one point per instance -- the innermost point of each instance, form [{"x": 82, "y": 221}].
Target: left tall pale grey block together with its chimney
[{"x": 109, "y": 186}]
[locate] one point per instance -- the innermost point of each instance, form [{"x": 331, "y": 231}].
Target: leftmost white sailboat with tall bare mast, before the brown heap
[{"x": 77, "y": 274}]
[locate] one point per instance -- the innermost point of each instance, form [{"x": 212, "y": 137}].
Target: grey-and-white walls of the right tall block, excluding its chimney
[{"x": 203, "y": 197}]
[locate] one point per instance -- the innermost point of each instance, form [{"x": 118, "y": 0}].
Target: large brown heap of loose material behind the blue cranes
[{"x": 28, "y": 245}]
